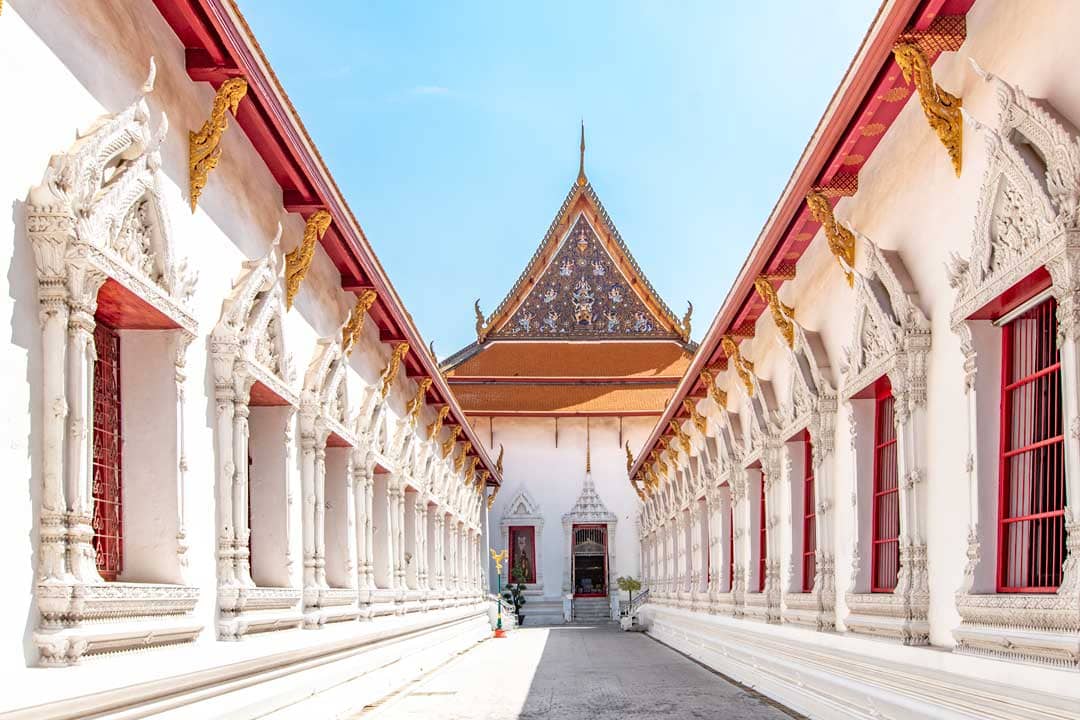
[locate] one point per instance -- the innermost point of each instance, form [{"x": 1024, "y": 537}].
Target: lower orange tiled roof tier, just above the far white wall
[{"x": 481, "y": 399}]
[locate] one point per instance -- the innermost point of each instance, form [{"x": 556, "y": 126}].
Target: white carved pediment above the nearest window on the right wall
[{"x": 1030, "y": 198}]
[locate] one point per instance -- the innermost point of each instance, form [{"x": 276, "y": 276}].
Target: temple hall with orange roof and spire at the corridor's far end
[{"x": 571, "y": 371}]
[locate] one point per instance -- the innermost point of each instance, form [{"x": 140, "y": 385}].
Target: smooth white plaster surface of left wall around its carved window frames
[{"x": 64, "y": 65}]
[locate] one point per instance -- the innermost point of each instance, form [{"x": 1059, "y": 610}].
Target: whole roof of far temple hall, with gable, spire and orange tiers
[{"x": 583, "y": 332}]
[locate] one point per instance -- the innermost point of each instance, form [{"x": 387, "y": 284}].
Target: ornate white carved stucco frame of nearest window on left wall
[{"x": 98, "y": 218}]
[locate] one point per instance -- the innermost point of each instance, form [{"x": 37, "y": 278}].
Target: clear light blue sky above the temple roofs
[{"x": 453, "y": 130}]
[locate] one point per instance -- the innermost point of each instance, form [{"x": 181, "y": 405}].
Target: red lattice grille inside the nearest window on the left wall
[{"x": 106, "y": 490}]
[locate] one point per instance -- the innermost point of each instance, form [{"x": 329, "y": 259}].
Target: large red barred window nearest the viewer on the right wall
[{"x": 1032, "y": 470}]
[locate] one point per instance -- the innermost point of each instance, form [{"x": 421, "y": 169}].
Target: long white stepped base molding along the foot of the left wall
[{"x": 354, "y": 664}]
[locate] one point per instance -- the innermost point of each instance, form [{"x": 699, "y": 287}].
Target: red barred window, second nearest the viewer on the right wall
[{"x": 885, "y": 555}]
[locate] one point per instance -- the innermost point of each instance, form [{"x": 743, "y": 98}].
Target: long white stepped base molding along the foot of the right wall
[{"x": 828, "y": 675}]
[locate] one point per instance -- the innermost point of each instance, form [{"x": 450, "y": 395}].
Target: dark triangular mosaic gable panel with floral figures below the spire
[{"x": 583, "y": 294}]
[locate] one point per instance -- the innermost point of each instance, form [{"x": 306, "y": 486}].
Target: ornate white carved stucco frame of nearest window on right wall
[{"x": 1025, "y": 226}]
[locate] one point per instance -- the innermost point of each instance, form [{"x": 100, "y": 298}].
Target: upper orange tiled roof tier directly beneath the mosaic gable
[{"x": 576, "y": 360}]
